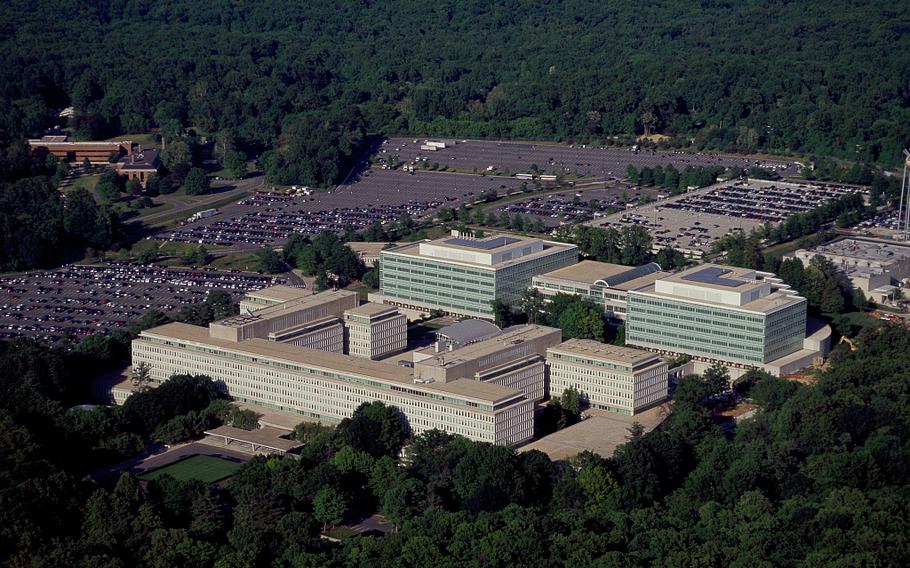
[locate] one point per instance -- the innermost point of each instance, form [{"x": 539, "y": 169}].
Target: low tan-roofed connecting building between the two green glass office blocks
[{"x": 606, "y": 285}]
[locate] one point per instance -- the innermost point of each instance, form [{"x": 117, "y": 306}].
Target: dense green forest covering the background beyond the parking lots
[{"x": 305, "y": 82}]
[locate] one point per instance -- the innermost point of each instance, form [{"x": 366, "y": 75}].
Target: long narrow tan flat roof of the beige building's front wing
[{"x": 375, "y": 370}]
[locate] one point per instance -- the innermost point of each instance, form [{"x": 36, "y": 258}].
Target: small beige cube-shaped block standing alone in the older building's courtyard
[{"x": 375, "y": 331}]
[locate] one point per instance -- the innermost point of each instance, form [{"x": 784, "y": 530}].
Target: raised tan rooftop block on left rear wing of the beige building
[{"x": 281, "y": 317}]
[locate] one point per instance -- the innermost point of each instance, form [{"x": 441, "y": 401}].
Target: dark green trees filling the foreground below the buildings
[{"x": 818, "y": 477}]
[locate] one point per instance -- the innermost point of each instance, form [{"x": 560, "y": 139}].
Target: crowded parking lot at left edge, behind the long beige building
[{"x": 80, "y": 300}]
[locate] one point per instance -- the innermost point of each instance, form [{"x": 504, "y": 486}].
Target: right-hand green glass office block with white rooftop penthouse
[{"x": 731, "y": 315}]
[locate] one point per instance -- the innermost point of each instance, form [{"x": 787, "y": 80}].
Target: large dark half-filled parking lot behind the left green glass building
[{"x": 375, "y": 194}]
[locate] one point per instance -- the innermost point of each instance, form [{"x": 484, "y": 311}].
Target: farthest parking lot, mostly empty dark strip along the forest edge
[{"x": 590, "y": 161}]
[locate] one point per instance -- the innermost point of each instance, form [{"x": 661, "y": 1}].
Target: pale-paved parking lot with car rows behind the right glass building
[{"x": 692, "y": 222}]
